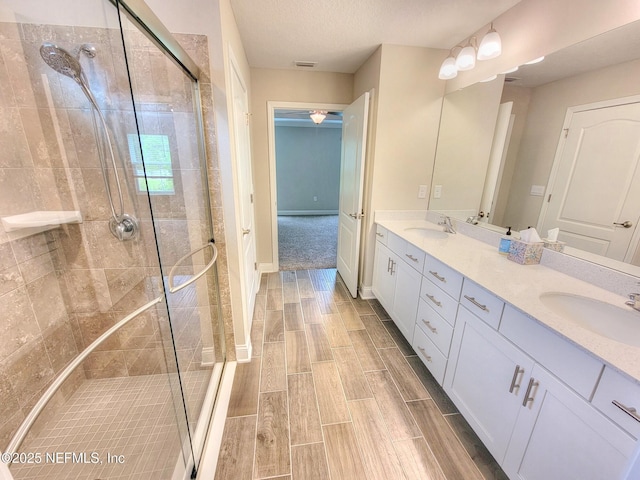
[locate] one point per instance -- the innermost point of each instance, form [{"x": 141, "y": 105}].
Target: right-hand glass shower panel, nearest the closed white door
[{"x": 167, "y": 159}]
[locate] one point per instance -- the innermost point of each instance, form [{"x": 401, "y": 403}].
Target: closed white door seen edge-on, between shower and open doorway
[{"x": 245, "y": 186}]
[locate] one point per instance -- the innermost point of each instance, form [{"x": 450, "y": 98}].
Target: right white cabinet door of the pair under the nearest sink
[{"x": 558, "y": 435}]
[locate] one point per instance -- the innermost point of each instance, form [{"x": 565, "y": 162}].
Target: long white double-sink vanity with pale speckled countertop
[{"x": 544, "y": 366}]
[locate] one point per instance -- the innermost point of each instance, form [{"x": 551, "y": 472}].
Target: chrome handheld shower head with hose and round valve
[{"x": 123, "y": 226}]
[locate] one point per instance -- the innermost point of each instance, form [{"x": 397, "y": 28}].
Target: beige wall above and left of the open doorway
[{"x": 283, "y": 86}]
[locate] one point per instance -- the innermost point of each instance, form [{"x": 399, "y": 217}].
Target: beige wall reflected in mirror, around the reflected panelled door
[{"x": 547, "y": 110}]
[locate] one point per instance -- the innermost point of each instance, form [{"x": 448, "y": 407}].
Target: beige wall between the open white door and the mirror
[{"x": 406, "y": 116}]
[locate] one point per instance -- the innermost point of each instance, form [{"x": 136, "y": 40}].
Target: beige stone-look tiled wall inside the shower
[{"x": 60, "y": 289}]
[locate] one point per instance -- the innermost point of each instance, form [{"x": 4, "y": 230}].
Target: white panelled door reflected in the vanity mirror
[{"x": 596, "y": 192}]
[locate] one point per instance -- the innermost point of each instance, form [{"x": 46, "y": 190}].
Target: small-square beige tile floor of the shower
[{"x": 129, "y": 416}]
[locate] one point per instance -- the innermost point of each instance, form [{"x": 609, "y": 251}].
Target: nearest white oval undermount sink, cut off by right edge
[{"x": 616, "y": 323}]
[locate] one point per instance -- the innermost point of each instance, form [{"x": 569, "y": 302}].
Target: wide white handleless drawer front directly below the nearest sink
[{"x": 573, "y": 366}]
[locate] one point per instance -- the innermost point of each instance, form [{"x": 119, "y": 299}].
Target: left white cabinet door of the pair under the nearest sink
[{"x": 484, "y": 379}]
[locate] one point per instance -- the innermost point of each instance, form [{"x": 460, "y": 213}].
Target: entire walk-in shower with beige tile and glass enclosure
[{"x": 111, "y": 351}]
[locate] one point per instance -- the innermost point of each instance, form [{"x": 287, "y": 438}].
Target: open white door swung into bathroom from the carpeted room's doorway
[{"x": 354, "y": 138}]
